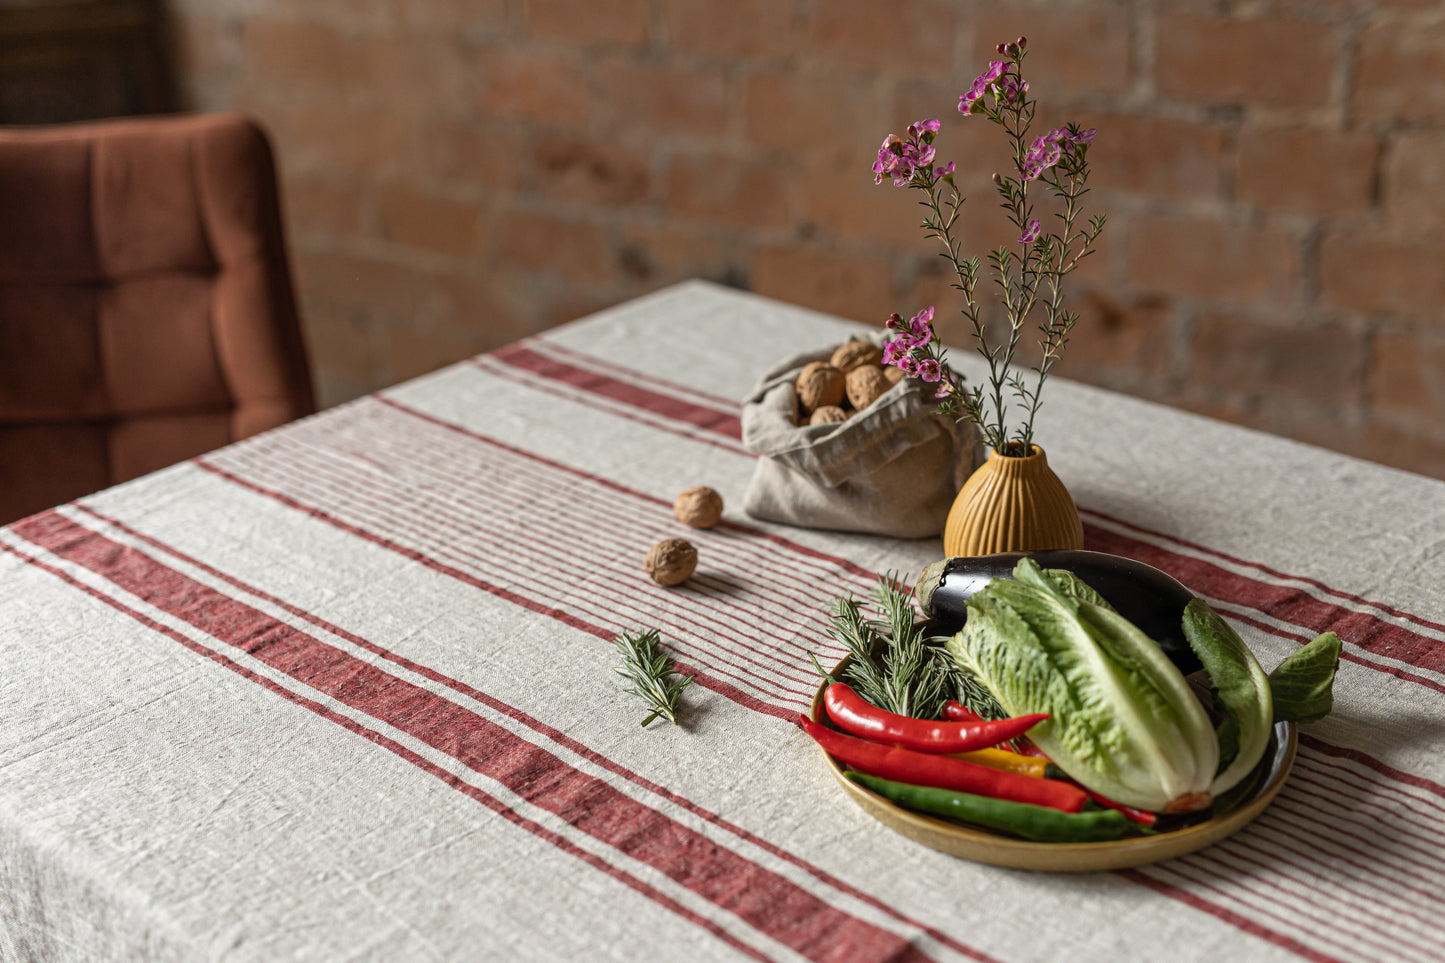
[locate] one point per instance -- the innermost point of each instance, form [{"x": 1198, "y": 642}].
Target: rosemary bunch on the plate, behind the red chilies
[{"x": 892, "y": 667}]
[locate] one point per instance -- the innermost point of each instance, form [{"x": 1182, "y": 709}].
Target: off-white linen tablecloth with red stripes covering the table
[{"x": 346, "y": 692}]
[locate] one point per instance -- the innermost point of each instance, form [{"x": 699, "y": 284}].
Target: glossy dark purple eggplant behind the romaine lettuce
[{"x": 1144, "y": 595}]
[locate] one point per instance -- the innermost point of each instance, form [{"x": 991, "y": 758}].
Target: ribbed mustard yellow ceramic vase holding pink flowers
[{"x": 1012, "y": 504}]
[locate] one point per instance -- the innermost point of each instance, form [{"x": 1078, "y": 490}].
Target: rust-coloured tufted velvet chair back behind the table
[{"x": 147, "y": 313}]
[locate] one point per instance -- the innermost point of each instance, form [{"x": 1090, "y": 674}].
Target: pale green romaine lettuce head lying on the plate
[{"x": 1123, "y": 721}]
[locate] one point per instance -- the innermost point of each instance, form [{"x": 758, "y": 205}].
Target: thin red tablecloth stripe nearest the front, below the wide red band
[{"x": 492, "y": 803}]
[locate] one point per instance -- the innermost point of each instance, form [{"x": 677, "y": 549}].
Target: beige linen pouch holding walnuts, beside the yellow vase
[{"x": 891, "y": 469}]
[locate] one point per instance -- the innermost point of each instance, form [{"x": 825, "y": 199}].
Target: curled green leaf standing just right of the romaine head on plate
[{"x": 1241, "y": 685}]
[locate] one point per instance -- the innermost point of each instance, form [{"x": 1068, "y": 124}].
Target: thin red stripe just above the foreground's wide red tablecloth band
[{"x": 556, "y": 735}]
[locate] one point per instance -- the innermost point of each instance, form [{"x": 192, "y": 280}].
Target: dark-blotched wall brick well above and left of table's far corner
[{"x": 580, "y": 170}]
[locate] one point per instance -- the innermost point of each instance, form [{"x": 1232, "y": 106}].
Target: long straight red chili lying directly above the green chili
[{"x": 923, "y": 769}]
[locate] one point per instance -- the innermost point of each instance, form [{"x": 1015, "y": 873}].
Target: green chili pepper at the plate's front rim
[{"x": 1032, "y": 822}]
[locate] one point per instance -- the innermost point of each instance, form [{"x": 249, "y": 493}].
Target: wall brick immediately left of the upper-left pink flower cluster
[{"x": 829, "y": 121}]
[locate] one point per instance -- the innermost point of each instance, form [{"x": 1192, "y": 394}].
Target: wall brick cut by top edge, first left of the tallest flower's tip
[{"x": 897, "y": 37}]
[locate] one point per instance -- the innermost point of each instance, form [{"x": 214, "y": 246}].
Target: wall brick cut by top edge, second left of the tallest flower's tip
[{"x": 733, "y": 30}]
